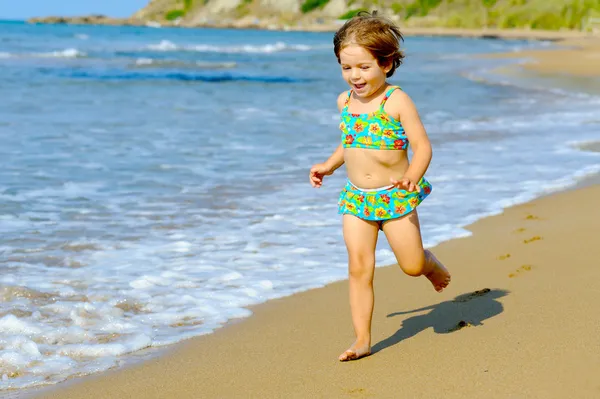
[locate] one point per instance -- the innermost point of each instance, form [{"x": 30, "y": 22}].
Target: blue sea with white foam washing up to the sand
[{"x": 154, "y": 181}]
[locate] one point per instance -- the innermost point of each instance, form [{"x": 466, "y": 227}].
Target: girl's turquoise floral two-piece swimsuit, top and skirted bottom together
[{"x": 377, "y": 130}]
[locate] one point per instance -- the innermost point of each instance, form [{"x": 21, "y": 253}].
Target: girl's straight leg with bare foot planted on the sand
[{"x": 361, "y": 239}]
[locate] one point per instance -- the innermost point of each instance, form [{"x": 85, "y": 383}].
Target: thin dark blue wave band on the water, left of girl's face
[{"x": 178, "y": 76}]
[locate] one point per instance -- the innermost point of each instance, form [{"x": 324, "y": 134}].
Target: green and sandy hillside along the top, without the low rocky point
[{"x": 521, "y": 14}]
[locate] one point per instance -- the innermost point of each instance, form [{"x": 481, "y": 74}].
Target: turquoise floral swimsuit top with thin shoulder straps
[{"x": 377, "y": 130}]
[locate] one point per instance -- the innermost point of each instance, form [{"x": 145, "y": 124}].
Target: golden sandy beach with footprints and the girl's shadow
[{"x": 520, "y": 319}]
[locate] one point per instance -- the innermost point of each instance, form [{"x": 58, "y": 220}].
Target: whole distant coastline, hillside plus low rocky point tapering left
[{"x": 559, "y": 19}]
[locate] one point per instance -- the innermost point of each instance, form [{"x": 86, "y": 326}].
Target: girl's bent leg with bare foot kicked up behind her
[{"x": 404, "y": 236}]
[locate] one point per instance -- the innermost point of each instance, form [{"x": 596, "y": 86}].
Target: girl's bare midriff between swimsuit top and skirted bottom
[{"x": 373, "y": 168}]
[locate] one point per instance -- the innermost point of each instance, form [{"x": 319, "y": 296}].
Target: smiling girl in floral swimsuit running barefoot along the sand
[{"x": 378, "y": 121}]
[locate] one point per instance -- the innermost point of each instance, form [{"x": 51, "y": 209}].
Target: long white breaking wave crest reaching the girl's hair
[{"x": 167, "y": 45}]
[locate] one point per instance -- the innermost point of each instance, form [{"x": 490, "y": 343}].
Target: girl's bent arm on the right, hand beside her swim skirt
[{"x": 417, "y": 137}]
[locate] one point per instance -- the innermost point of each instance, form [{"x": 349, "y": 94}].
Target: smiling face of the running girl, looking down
[{"x": 362, "y": 71}]
